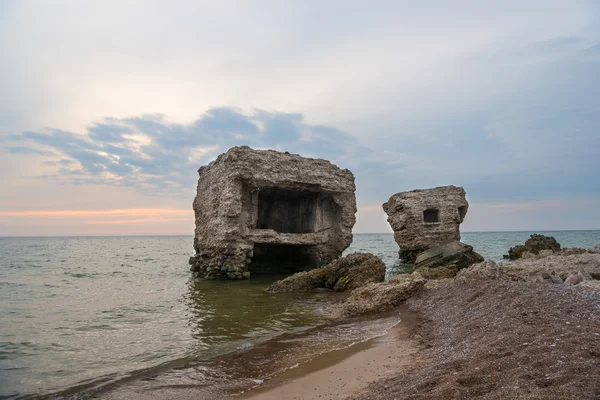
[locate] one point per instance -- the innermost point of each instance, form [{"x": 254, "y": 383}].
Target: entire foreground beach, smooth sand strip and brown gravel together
[{"x": 489, "y": 340}]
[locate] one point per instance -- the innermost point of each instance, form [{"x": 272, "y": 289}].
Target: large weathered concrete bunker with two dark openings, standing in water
[{"x": 263, "y": 211}]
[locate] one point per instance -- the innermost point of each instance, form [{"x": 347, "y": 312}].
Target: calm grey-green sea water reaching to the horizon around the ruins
[{"x": 81, "y": 312}]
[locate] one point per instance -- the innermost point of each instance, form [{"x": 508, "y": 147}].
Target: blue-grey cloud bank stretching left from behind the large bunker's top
[{"x": 154, "y": 155}]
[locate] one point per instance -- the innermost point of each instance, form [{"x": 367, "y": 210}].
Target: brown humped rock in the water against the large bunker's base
[{"x": 344, "y": 274}]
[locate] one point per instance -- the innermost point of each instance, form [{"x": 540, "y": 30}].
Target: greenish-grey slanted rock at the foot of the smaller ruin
[{"x": 450, "y": 254}]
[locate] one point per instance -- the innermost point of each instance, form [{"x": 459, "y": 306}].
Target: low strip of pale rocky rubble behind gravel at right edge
[{"x": 571, "y": 269}]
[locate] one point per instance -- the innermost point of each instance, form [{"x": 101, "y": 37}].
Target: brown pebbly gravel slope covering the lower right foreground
[{"x": 502, "y": 340}]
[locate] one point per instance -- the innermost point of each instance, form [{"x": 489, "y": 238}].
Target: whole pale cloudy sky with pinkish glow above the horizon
[{"x": 108, "y": 108}]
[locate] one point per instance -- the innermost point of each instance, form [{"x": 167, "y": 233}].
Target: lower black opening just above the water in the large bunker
[{"x": 281, "y": 259}]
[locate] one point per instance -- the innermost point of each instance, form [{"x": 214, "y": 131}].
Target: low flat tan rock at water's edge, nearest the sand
[{"x": 380, "y": 297}]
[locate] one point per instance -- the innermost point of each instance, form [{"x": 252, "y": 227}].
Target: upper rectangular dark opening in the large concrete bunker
[{"x": 287, "y": 211}]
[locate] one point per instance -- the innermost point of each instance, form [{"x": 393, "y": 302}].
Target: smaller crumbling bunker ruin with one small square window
[{"x": 423, "y": 219}]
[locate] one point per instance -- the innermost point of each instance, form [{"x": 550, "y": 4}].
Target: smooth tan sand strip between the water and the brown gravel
[{"x": 342, "y": 373}]
